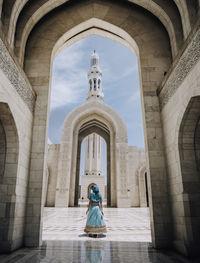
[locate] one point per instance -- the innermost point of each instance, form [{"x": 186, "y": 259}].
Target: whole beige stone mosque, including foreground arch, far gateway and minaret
[{"x": 165, "y": 36}]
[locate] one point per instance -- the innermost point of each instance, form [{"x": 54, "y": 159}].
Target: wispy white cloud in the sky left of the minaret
[{"x": 69, "y": 79}]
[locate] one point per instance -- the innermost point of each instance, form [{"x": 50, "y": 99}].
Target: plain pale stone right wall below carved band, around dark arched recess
[{"x": 172, "y": 115}]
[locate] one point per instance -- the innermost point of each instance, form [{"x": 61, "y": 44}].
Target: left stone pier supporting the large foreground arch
[{"x": 35, "y": 201}]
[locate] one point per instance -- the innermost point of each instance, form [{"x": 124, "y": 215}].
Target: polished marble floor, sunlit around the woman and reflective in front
[{"x": 127, "y": 241}]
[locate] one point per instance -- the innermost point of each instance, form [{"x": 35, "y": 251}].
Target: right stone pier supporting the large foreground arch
[{"x": 157, "y": 174}]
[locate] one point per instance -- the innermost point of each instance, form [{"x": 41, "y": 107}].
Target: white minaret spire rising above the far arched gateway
[{"x": 94, "y": 78}]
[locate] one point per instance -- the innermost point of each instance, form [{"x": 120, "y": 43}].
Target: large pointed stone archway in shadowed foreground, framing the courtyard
[{"x": 165, "y": 35}]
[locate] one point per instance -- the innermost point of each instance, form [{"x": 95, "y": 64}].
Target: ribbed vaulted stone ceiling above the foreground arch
[{"x": 20, "y": 19}]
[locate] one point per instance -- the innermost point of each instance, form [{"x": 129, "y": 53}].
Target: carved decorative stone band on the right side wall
[{"x": 187, "y": 61}]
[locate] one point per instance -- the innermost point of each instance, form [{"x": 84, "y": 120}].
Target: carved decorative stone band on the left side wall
[{"x": 13, "y": 74}]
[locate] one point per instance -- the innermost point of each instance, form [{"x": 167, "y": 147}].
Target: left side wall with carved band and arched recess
[{"x": 16, "y": 105}]
